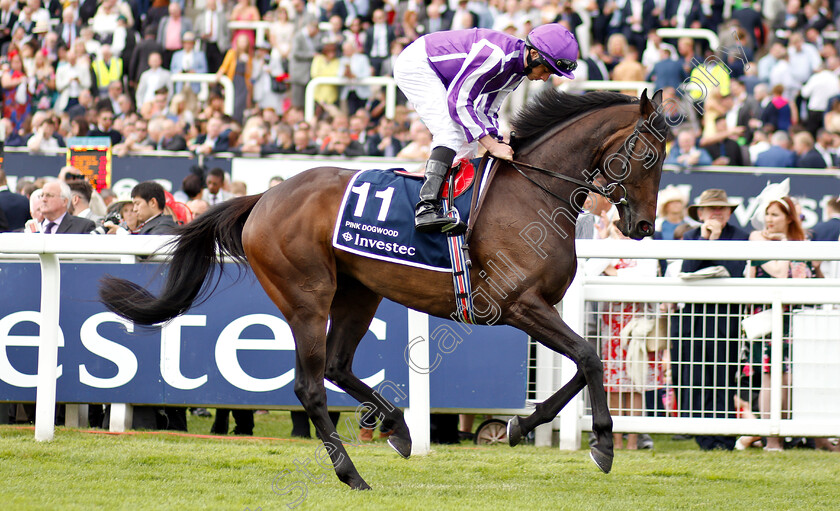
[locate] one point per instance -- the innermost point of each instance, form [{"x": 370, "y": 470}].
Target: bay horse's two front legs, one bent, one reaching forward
[{"x": 542, "y": 322}]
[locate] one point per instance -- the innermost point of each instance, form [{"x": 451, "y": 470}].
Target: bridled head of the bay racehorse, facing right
[{"x": 632, "y": 167}]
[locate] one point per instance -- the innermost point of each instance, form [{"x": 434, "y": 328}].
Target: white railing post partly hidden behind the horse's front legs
[{"x": 574, "y": 314}]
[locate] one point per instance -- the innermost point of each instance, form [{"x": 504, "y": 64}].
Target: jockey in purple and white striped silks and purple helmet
[{"x": 457, "y": 81}]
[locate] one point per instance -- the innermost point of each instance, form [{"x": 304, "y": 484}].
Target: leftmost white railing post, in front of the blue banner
[{"x": 47, "y": 348}]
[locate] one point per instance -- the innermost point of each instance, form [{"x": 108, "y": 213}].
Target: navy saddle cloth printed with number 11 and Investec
[{"x": 376, "y": 220}]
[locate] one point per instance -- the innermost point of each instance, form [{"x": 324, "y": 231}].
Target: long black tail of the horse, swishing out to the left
[{"x": 193, "y": 260}]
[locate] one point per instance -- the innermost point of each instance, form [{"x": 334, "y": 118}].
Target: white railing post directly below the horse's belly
[{"x": 418, "y": 411}]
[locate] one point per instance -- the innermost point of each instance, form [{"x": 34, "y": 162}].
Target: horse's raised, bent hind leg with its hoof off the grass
[{"x": 352, "y": 310}]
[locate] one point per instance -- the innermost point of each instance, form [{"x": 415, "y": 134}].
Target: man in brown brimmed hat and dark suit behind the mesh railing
[{"x": 705, "y": 335}]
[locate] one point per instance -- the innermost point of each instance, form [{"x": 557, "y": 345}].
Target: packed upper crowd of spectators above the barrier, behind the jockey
[{"x": 105, "y": 68}]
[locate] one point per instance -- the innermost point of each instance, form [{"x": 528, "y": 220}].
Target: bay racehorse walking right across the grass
[{"x": 567, "y": 145}]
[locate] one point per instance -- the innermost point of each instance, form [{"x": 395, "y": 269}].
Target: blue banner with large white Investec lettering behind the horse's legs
[{"x": 234, "y": 349}]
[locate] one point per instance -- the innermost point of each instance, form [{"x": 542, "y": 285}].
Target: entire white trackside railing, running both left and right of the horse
[{"x": 816, "y": 363}]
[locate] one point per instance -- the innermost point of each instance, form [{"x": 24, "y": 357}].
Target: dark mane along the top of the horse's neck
[{"x": 551, "y": 107}]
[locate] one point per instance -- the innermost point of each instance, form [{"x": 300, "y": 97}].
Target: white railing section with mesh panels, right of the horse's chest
[{"x": 813, "y": 311}]
